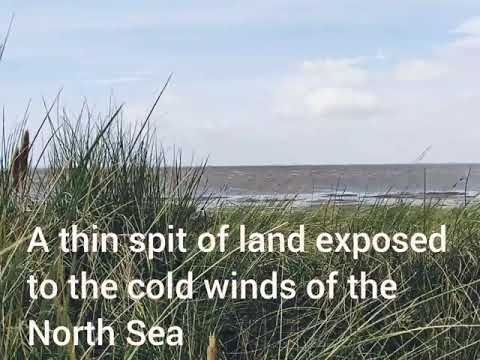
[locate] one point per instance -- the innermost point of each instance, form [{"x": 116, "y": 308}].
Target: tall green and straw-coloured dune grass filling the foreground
[{"x": 120, "y": 180}]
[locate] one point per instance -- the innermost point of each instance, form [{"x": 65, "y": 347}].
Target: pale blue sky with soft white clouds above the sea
[{"x": 260, "y": 82}]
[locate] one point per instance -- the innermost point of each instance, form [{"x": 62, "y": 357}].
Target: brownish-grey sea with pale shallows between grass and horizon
[{"x": 313, "y": 185}]
